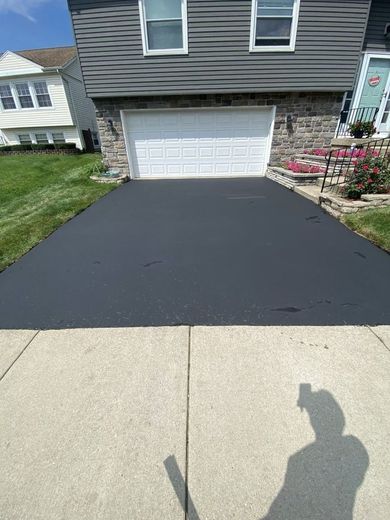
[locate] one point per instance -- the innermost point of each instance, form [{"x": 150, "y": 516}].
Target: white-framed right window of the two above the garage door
[{"x": 274, "y": 25}]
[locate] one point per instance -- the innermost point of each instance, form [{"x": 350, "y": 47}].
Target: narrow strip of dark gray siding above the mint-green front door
[{"x": 379, "y": 17}]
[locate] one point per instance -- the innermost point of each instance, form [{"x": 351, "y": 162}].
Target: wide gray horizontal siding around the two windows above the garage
[{"x": 108, "y": 35}]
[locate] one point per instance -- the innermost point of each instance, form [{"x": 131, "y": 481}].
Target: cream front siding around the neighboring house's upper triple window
[{"x": 57, "y": 115}]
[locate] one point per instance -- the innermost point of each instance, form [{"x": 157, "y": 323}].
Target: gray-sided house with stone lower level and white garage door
[{"x": 196, "y": 88}]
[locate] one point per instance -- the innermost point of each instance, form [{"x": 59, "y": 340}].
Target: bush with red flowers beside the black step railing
[{"x": 371, "y": 174}]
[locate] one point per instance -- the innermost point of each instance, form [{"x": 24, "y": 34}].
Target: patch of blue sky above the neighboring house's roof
[{"x": 34, "y": 24}]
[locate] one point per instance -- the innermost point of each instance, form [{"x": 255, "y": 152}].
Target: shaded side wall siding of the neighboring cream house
[{"x": 83, "y": 108}]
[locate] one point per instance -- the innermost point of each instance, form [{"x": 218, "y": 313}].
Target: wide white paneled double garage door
[{"x": 198, "y": 143}]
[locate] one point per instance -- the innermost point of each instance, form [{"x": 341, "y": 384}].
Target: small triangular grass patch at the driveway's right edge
[{"x": 373, "y": 224}]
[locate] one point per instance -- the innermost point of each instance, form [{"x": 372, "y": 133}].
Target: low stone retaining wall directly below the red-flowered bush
[{"x": 338, "y": 206}]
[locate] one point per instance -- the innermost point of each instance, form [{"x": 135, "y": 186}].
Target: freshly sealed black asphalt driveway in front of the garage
[{"x": 202, "y": 252}]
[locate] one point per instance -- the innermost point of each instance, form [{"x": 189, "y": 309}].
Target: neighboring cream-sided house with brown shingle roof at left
[{"x": 43, "y": 100}]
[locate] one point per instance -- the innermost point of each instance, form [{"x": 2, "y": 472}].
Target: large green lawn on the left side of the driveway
[{"x": 38, "y": 193}]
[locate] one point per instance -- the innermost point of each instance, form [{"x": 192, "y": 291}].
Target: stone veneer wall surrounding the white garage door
[{"x": 314, "y": 119}]
